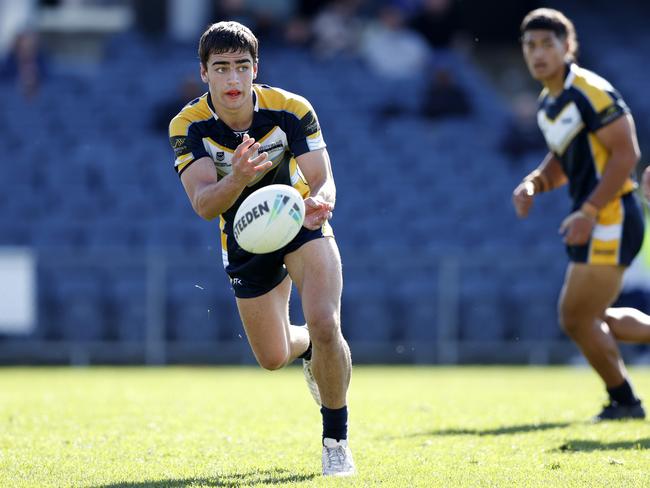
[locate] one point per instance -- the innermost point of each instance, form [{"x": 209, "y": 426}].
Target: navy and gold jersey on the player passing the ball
[{"x": 284, "y": 124}]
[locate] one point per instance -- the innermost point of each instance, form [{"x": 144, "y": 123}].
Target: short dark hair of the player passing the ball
[{"x": 227, "y": 37}]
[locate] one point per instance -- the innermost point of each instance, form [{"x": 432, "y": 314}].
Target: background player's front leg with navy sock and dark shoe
[{"x": 587, "y": 292}]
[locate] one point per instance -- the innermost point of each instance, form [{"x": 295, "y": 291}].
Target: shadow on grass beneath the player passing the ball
[{"x": 232, "y": 480}]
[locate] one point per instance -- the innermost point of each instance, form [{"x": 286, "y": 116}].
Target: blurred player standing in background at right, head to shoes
[{"x": 593, "y": 148}]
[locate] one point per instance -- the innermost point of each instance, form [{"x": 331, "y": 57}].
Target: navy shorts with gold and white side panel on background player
[{"x": 617, "y": 236}]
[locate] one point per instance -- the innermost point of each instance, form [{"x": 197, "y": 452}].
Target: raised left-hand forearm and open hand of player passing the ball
[{"x": 211, "y": 197}]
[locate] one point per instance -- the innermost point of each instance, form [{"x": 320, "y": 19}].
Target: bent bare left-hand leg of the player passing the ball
[{"x": 275, "y": 343}]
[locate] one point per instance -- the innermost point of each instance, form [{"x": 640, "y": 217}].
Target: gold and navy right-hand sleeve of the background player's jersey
[{"x": 601, "y": 106}]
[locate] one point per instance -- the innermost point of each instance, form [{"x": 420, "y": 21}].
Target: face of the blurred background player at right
[{"x": 544, "y": 53}]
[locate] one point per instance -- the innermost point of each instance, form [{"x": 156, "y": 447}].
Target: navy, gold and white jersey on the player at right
[{"x": 569, "y": 123}]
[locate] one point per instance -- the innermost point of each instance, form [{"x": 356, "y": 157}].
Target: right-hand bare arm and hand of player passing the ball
[{"x": 316, "y": 168}]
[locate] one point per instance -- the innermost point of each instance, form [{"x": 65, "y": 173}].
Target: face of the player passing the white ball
[{"x": 230, "y": 78}]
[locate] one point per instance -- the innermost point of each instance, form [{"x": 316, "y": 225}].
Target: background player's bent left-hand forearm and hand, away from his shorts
[{"x": 546, "y": 177}]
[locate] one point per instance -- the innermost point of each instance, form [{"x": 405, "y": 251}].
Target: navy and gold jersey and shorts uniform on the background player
[{"x": 569, "y": 123}]
